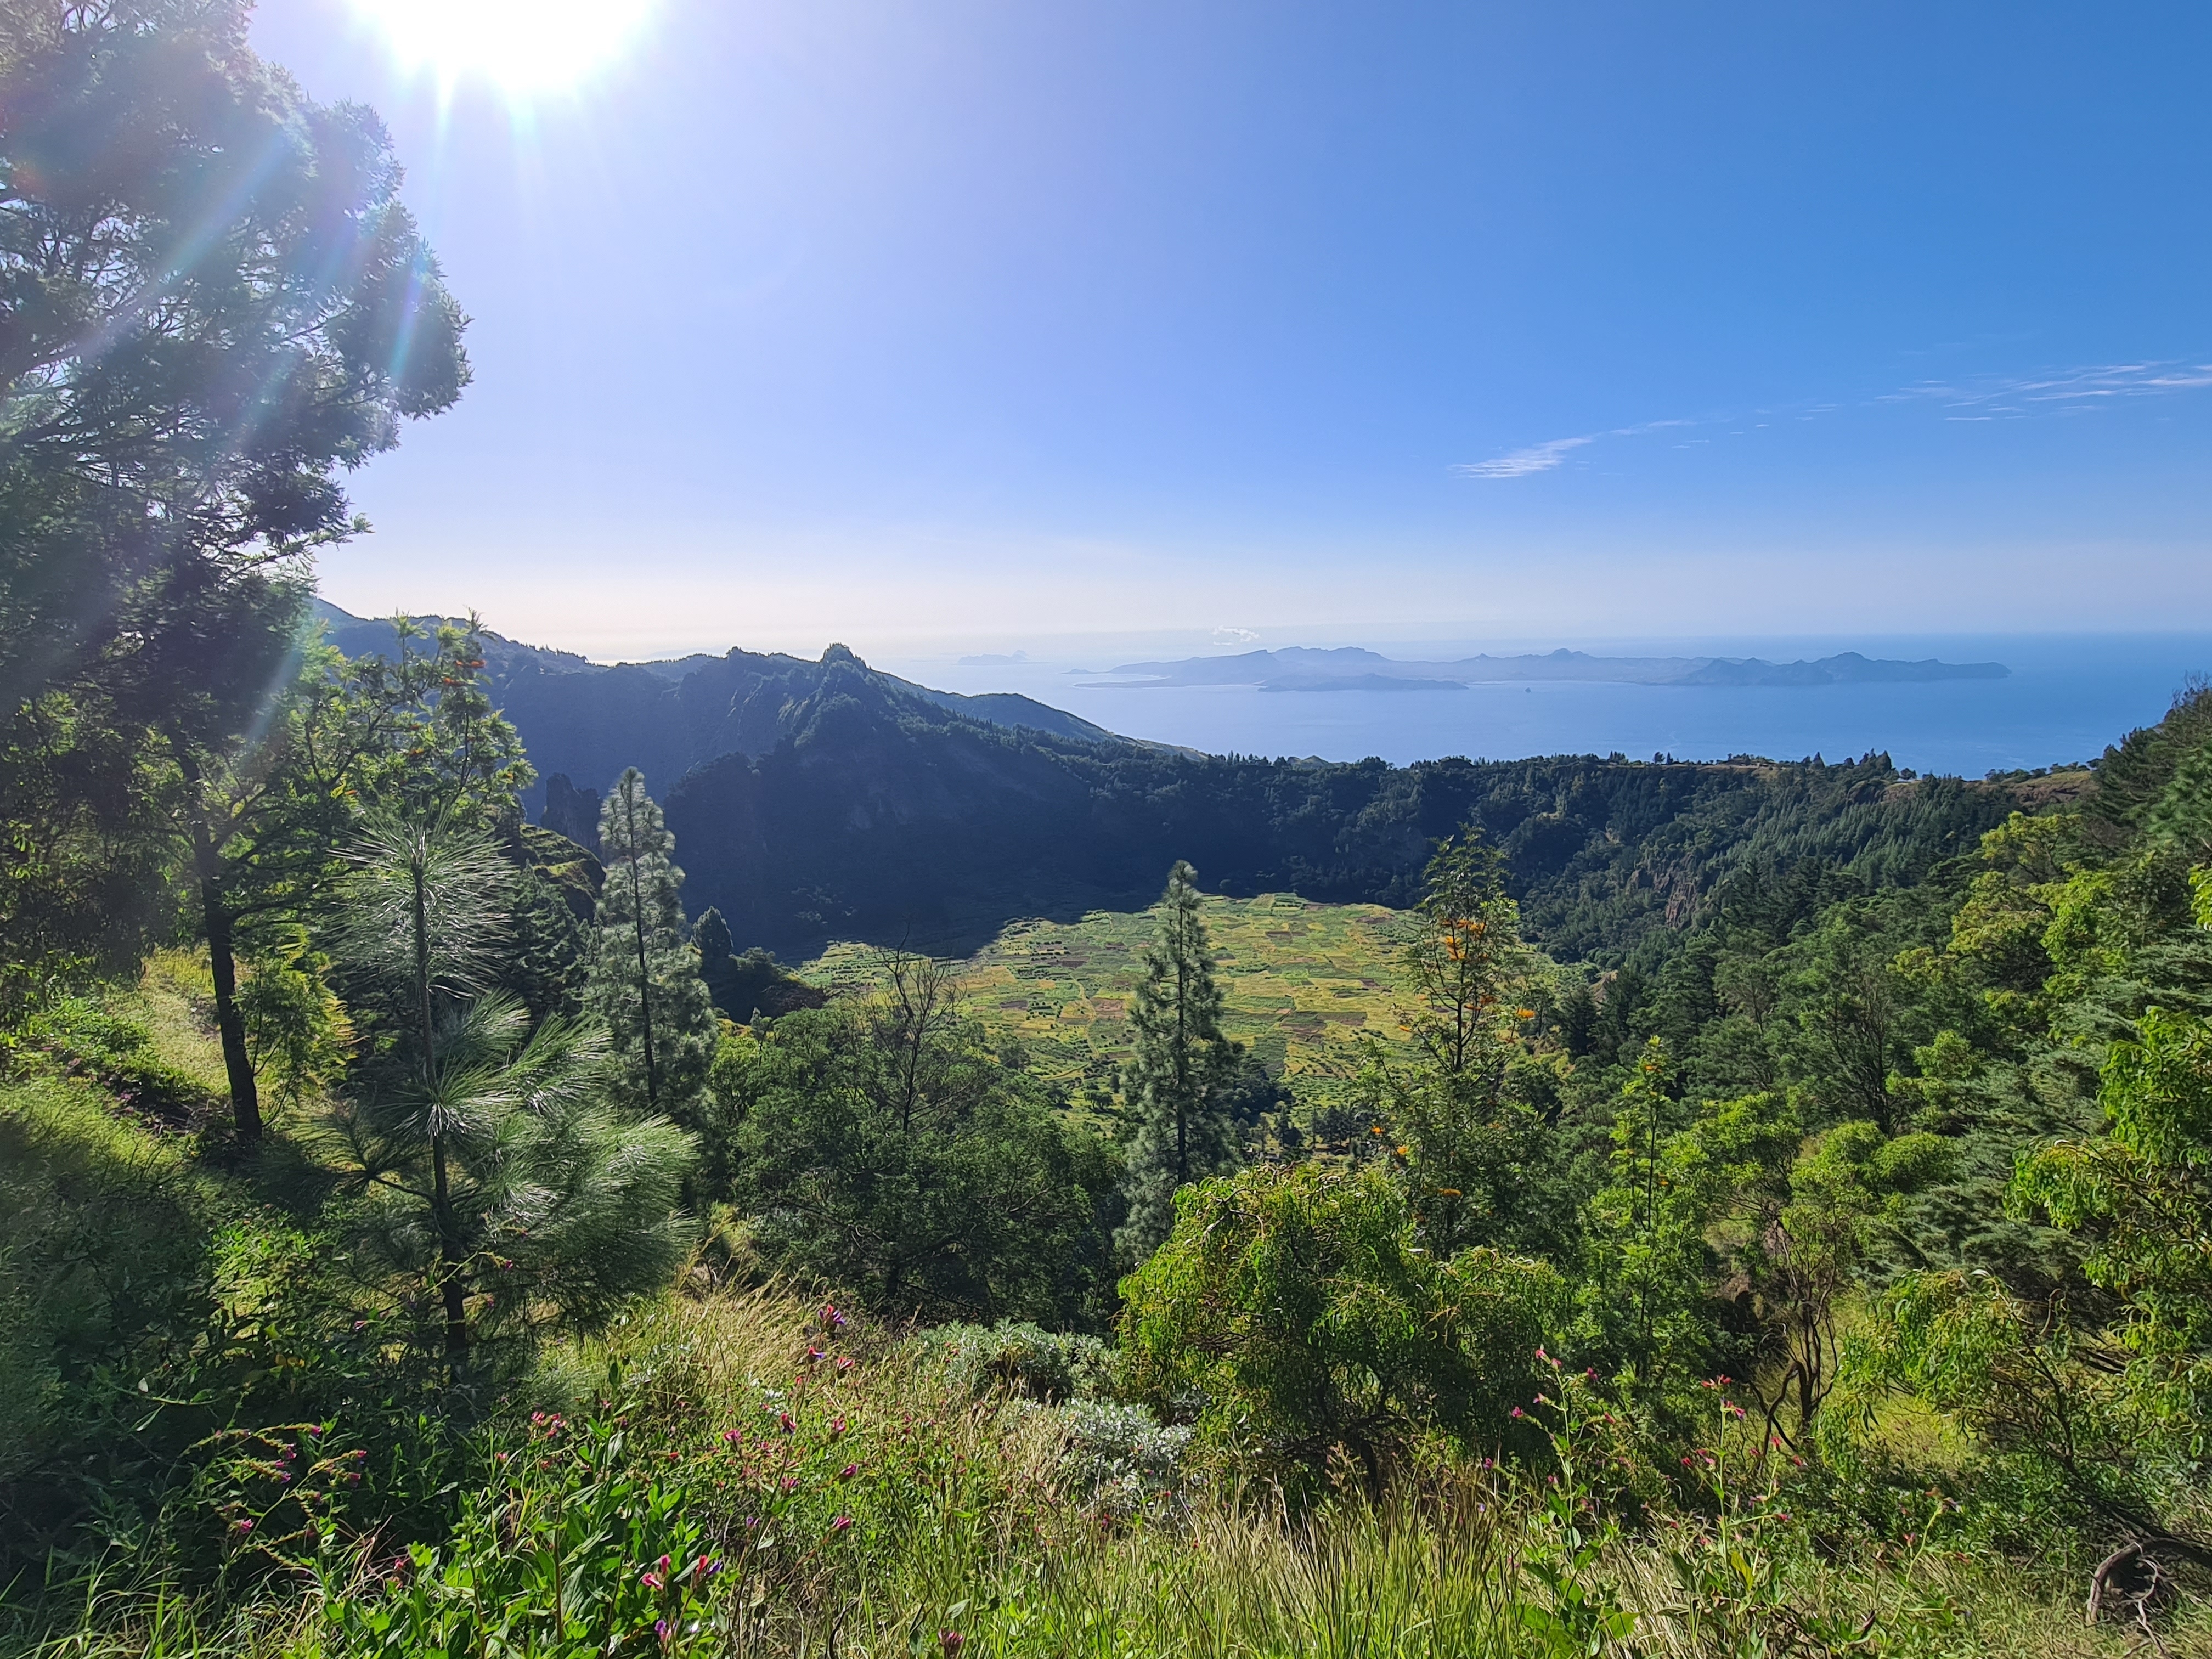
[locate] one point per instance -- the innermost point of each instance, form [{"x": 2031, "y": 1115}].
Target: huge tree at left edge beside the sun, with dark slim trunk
[{"x": 213, "y": 302}]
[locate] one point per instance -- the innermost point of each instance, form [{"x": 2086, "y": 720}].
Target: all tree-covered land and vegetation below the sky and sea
[{"x": 1771, "y": 1222}]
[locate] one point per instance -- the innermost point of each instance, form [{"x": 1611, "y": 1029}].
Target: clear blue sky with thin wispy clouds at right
[{"x": 983, "y": 322}]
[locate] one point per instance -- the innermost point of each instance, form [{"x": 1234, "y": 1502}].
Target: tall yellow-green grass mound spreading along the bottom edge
[{"x": 972, "y": 1541}]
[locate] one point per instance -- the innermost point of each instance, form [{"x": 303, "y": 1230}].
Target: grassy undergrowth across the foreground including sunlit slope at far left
[{"x": 747, "y": 1472}]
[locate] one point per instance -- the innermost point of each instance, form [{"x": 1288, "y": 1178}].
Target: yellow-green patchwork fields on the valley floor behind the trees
[{"x": 1302, "y": 983}]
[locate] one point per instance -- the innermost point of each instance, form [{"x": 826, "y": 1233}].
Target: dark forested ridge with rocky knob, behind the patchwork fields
[{"x": 833, "y": 802}]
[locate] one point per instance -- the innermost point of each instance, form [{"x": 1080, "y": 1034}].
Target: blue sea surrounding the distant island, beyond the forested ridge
[{"x": 2065, "y": 700}]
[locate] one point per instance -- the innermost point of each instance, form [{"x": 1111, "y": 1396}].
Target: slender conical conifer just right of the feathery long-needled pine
[{"x": 645, "y": 974}]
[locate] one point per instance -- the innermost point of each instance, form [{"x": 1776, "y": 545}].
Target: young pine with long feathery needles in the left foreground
[{"x": 503, "y": 1180}]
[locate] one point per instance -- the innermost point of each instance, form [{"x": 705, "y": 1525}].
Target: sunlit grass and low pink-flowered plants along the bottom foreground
[{"x": 738, "y": 1472}]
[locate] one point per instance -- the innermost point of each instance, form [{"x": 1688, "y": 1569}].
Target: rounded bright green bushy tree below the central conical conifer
[{"x": 1302, "y": 1308}]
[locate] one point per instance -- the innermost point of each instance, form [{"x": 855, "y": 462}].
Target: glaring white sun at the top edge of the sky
[{"x": 519, "y": 45}]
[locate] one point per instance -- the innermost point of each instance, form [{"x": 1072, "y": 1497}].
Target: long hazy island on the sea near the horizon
[{"x": 1355, "y": 669}]
